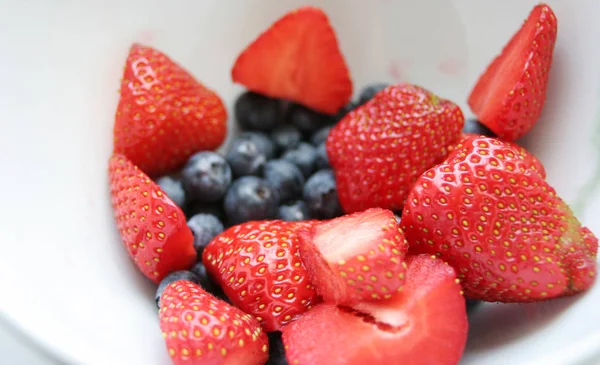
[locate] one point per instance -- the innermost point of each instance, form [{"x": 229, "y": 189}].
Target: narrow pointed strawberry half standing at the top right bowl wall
[{"x": 508, "y": 98}]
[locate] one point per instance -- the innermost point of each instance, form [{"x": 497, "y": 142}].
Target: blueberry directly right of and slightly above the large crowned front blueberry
[{"x": 285, "y": 178}]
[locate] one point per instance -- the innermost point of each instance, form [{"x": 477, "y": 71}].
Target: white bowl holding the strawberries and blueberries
[{"x": 66, "y": 279}]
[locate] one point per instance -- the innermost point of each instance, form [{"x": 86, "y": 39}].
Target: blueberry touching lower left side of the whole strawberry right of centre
[{"x": 320, "y": 195}]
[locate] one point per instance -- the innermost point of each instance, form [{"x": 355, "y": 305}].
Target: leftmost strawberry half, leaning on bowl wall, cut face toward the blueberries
[{"x": 152, "y": 227}]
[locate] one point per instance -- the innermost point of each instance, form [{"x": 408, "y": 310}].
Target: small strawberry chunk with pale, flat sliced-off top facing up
[{"x": 355, "y": 257}]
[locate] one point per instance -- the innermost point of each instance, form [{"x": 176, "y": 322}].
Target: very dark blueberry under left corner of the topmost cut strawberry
[{"x": 257, "y": 112}]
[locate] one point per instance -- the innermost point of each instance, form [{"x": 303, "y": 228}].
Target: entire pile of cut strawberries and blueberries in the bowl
[{"x": 337, "y": 231}]
